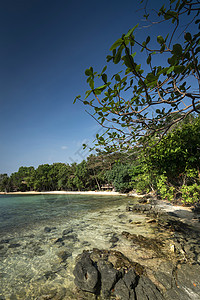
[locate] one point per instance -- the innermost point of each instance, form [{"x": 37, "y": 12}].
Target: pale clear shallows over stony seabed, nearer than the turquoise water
[{"x": 40, "y": 261}]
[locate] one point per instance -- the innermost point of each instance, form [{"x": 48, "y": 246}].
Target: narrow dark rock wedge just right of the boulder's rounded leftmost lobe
[{"x": 109, "y": 277}]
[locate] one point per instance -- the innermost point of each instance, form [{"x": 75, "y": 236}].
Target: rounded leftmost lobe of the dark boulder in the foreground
[{"x": 86, "y": 275}]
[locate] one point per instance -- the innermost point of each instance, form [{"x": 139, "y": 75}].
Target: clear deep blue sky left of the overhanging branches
[{"x": 45, "y": 47}]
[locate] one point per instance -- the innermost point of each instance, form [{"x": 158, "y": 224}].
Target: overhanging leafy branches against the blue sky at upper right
[{"x": 146, "y": 99}]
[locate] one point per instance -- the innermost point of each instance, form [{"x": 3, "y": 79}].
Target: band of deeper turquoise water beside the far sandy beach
[{"x": 18, "y": 212}]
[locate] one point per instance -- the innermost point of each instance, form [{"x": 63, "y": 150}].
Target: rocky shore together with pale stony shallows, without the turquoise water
[{"x": 140, "y": 248}]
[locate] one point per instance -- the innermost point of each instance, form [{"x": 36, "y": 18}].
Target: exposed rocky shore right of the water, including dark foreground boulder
[{"x": 168, "y": 266}]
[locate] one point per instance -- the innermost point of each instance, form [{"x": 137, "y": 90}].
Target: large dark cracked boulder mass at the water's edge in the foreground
[{"x": 111, "y": 275}]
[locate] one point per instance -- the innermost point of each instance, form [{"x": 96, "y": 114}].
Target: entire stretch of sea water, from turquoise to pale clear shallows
[{"x": 40, "y": 237}]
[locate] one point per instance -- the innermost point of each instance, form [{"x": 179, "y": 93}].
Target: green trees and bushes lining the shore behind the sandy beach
[{"x": 170, "y": 168}]
